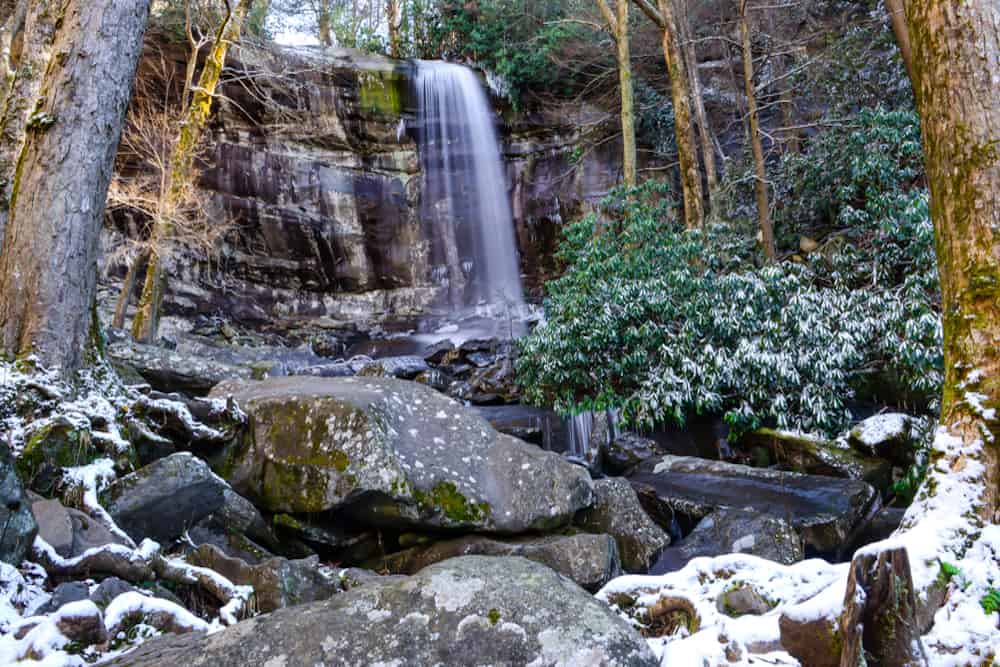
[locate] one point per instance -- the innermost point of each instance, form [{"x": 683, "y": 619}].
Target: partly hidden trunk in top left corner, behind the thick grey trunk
[{"x": 29, "y": 55}]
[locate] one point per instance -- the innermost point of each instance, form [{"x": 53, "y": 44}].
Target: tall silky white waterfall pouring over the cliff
[{"x": 465, "y": 193}]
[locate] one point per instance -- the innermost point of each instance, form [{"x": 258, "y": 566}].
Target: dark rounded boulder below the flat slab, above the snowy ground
[{"x": 735, "y": 531}]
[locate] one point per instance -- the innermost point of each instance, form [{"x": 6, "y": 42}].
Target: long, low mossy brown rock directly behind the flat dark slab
[{"x": 818, "y": 456}]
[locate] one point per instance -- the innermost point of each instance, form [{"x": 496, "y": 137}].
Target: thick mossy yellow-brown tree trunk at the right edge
[{"x": 956, "y": 57}]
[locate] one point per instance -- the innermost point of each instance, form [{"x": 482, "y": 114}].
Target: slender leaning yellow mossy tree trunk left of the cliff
[{"x": 147, "y": 316}]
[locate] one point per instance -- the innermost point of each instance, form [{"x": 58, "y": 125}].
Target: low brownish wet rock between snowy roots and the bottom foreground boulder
[{"x": 277, "y": 582}]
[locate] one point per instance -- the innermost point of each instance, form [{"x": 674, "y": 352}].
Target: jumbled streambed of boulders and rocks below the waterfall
[{"x": 375, "y": 502}]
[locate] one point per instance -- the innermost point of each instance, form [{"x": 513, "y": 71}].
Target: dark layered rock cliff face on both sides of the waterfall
[{"x": 313, "y": 154}]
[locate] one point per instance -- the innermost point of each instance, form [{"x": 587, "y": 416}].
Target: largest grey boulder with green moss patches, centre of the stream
[{"x": 393, "y": 453}]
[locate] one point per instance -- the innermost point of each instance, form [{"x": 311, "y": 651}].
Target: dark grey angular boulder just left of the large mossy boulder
[{"x": 162, "y": 500}]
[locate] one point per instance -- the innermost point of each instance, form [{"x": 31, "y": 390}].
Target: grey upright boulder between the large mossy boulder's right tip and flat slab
[{"x": 616, "y": 511}]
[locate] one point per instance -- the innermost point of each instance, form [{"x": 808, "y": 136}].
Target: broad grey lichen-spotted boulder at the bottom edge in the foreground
[{"x": 473, "y": 610}]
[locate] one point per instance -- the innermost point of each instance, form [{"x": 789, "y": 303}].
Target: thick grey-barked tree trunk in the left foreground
[{"x": 47, "y": 267}]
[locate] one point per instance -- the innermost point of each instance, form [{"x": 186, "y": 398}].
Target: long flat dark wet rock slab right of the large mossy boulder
[{"x": 824, "y": 510}]
